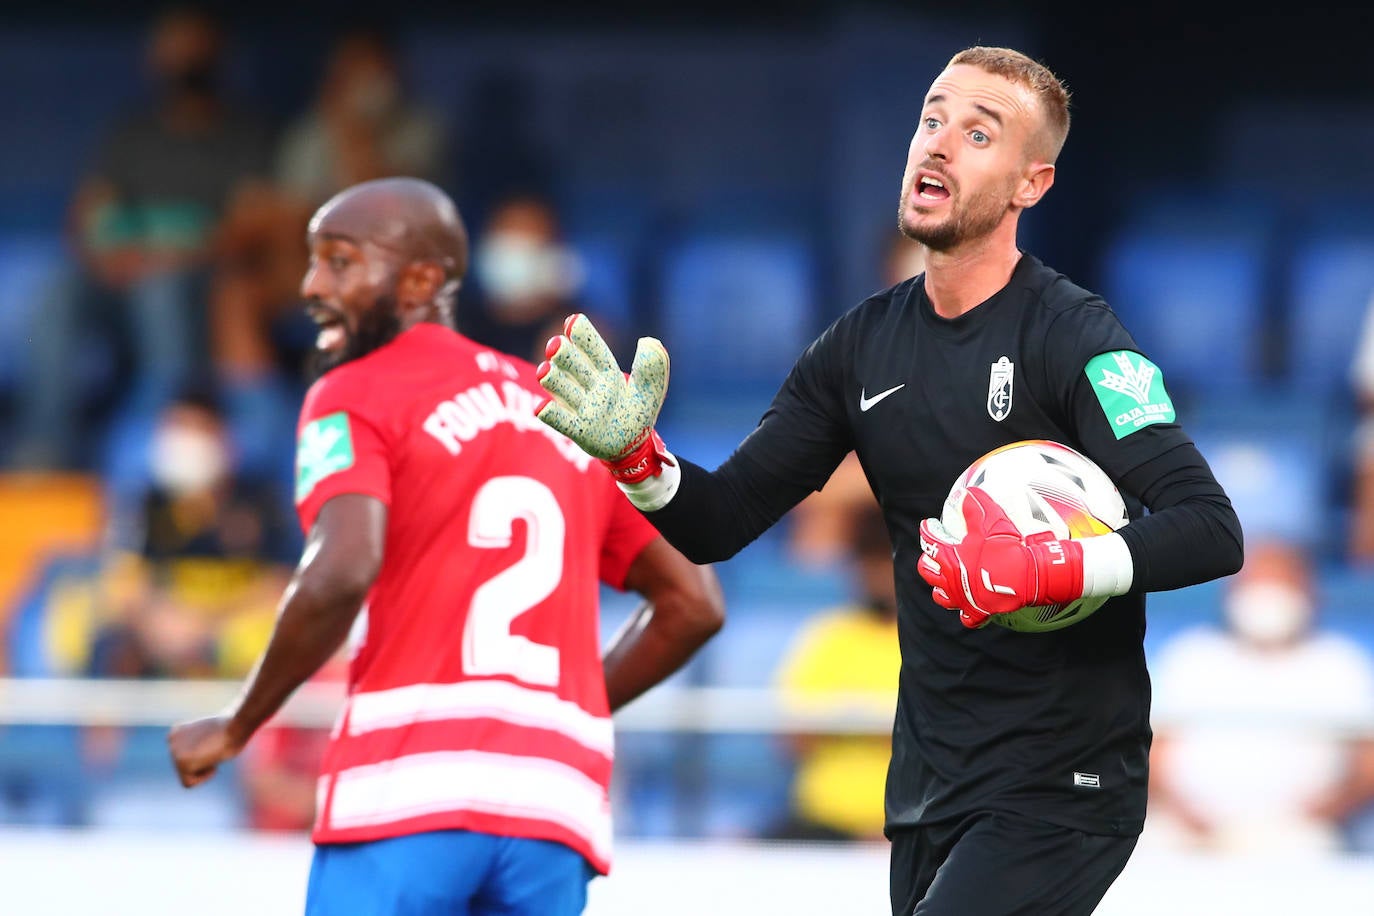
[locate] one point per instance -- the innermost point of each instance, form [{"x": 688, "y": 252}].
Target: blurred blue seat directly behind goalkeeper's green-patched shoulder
[{"x": 1195, "y": 301}]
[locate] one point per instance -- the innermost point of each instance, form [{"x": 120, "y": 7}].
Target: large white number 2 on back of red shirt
[{"x": 488, "y": 645}]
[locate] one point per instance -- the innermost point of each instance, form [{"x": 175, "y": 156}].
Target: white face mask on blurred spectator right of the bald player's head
[{"x": 515, "y": 270}]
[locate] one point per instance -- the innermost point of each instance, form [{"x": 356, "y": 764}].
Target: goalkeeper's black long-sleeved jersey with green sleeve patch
[{"x": 1053, "y": 726}]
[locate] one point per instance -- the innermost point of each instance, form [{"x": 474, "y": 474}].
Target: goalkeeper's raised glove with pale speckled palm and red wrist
[{"x": 593, "y": 403}]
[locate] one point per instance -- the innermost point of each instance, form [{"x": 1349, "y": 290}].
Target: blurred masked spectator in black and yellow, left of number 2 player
[{"x": 201, "y": 562}]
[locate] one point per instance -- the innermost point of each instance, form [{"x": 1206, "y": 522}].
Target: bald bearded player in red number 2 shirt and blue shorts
[{"x": 469, "y": 768}]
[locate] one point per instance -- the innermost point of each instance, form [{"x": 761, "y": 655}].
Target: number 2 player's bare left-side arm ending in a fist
[{"x": 341, "y": 560}]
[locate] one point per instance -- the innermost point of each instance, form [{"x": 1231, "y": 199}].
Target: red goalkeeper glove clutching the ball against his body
[{"x": 994, "y": 571}]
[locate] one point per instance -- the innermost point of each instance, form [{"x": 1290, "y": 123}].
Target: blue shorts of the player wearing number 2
[{"x": 449, "y": 873}]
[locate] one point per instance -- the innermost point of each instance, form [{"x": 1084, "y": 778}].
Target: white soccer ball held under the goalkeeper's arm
[{"x": 1042, "y": 487}]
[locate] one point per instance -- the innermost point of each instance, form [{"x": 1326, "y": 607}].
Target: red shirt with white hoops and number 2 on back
[{"x": 476, "y": 694}]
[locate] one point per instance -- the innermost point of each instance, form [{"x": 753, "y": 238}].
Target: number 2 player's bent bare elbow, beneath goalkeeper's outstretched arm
[{"x": 684, "y": 610}]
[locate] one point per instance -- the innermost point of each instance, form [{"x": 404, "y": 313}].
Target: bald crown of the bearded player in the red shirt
[{"x": 410, "y": 218}]
